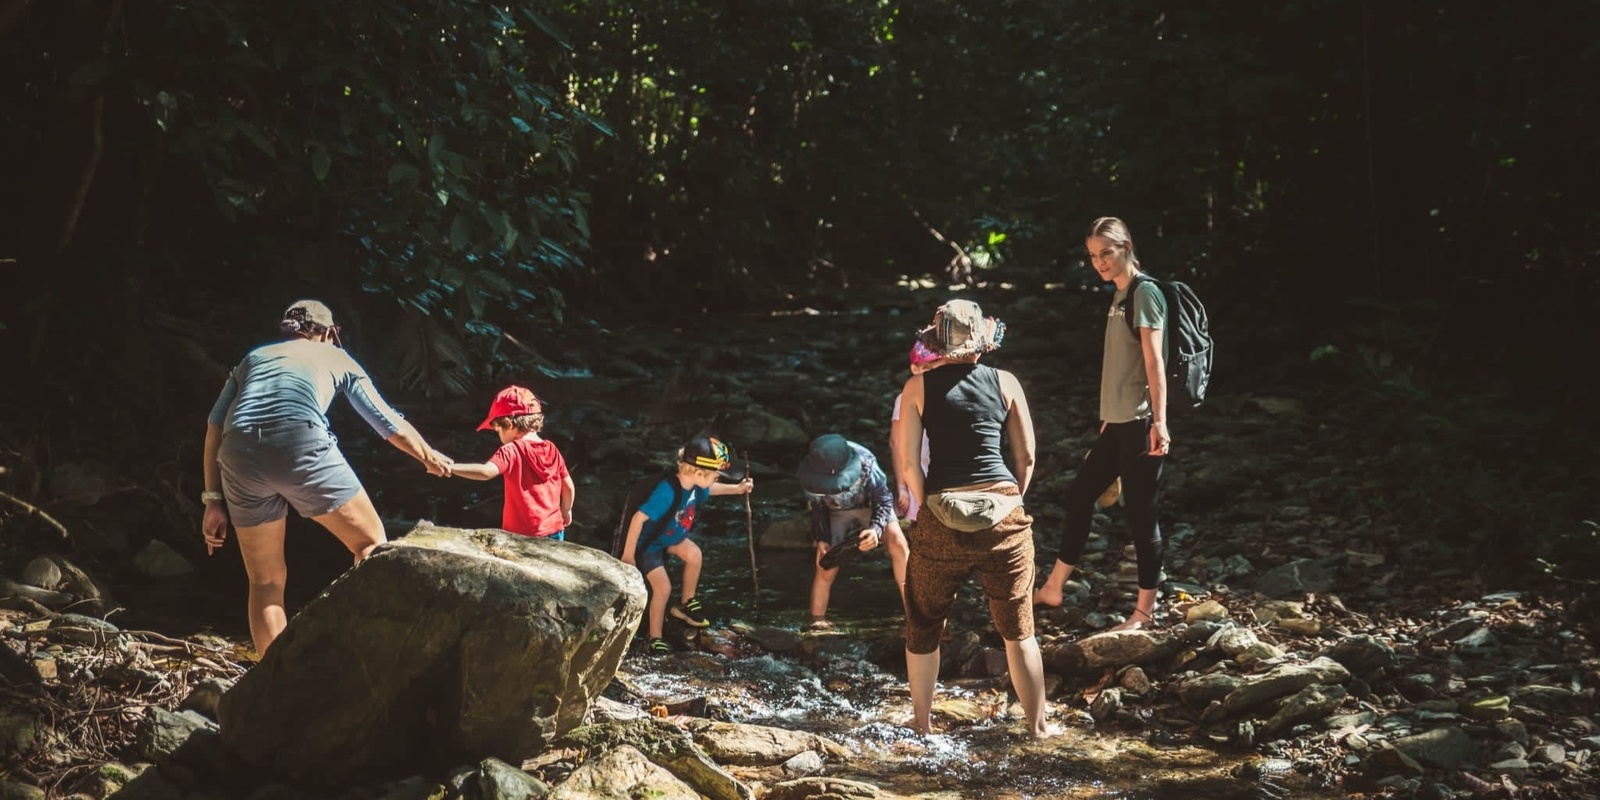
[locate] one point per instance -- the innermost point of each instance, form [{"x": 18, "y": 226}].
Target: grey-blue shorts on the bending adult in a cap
[{"x": 294, "y": 463}]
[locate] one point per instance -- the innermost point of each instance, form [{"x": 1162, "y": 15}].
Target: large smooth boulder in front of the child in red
[{"x": 444, "y": 647}]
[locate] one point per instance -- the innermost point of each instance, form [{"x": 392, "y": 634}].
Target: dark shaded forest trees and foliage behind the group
[{"x": 1388, "y": 202}]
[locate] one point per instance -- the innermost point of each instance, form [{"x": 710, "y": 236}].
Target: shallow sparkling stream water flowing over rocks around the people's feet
[{"x": 836, "y": 687}]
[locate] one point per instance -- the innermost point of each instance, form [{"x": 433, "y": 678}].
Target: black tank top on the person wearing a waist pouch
[{"x": 964, "y": 414}]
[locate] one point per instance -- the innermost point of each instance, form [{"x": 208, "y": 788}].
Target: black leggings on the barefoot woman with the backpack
[{"x": 1122, "y": 450}]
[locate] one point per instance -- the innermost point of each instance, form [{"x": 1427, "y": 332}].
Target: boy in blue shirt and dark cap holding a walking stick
[{"x": 700, "y": 465}]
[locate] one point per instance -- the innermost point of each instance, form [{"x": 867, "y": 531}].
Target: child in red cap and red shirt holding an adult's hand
[{"x": 538, "y": 487}]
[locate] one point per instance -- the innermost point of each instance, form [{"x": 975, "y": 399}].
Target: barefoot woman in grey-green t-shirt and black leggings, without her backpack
[{"x": 1134, "y": 439}]
